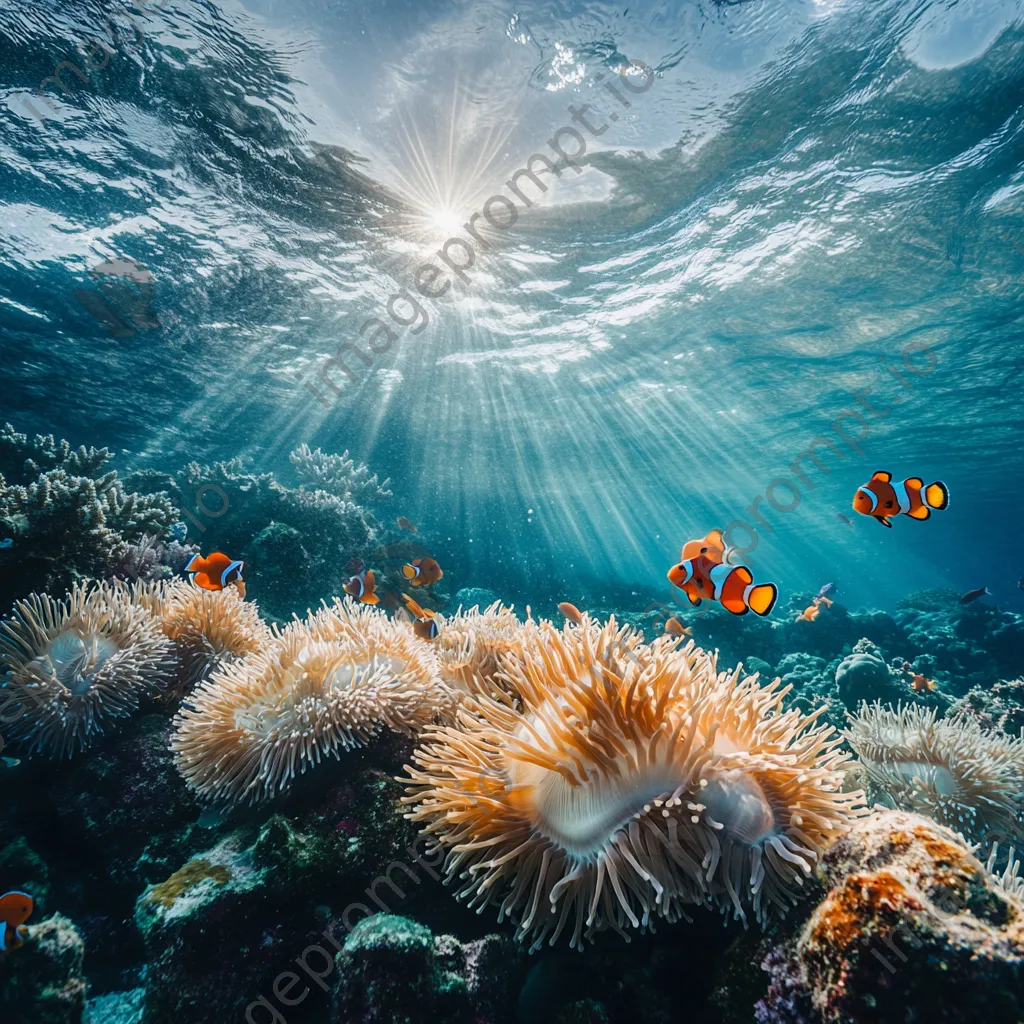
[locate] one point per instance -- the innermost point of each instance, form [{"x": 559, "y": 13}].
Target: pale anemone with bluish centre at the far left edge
[{"x": 79, "y": 664}]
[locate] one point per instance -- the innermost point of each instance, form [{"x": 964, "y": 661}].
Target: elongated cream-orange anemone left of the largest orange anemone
[{"x": 328, "y": 685}]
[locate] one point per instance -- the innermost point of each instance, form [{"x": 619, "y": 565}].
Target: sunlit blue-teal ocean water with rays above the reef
[{"x": 786, "y": 216}]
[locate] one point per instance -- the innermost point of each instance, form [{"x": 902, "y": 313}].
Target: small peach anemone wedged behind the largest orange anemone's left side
[{"x": 472, "y": 647}]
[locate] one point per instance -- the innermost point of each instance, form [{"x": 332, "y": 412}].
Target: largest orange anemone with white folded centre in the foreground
[{"x": 625, "y": 784}]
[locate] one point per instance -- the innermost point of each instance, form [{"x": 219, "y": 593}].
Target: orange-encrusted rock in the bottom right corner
[{"x": 912, "y": 919}]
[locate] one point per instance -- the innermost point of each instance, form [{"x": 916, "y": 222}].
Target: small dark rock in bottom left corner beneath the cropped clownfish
[{"x": 44, "y": 983}]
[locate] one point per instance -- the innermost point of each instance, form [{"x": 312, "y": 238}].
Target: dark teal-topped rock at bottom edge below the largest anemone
[{"x": 394, "y": 969}]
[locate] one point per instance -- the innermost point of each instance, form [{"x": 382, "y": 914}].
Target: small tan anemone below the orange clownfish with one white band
[{"x": 209, "y": 628}]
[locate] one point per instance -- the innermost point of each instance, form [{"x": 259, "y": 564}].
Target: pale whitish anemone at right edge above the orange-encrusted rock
[{"x": 953, "y": 772}]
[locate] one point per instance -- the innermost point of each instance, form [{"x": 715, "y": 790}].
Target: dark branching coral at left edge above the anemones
[{"x": 67, "y": 517}]
